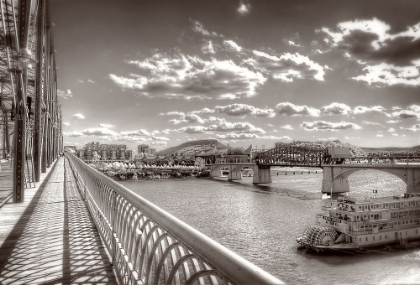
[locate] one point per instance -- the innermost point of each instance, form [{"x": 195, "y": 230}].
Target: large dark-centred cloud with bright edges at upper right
[{"x": 390, "y": 59}]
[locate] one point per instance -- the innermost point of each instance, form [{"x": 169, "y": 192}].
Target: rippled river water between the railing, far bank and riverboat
[{"x": 261, "y": 224}]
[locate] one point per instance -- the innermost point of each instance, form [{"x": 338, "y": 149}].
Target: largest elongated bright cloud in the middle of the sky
[{"x": 187, "y": 77}]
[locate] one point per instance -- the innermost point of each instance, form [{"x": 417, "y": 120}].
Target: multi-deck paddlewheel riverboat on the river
[{"x": 351, "y": 224}]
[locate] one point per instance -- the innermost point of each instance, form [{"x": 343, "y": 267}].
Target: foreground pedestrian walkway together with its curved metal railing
[{"x": 81, "y": 227}]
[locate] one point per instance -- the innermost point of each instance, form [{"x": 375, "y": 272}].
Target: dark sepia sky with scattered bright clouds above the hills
[{"x": 243, "y": 72}]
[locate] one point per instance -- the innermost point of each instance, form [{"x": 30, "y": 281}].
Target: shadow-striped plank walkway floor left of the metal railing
[{"x": 50, "y": 238}]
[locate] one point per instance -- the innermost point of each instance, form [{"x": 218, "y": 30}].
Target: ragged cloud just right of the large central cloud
[{"x": 286, "y": 67}]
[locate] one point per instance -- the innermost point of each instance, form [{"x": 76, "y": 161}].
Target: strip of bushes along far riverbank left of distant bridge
[{"x": 151, "y": 174}]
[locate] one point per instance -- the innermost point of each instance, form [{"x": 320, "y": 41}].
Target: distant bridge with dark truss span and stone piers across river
[{"x": 336, "y": 170}]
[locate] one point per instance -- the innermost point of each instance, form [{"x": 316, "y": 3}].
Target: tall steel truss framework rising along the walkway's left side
[{"x": 30, "y": 113}]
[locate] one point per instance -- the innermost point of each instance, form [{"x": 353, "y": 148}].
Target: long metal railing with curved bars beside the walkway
[{"x": 150, "y": 246}]
